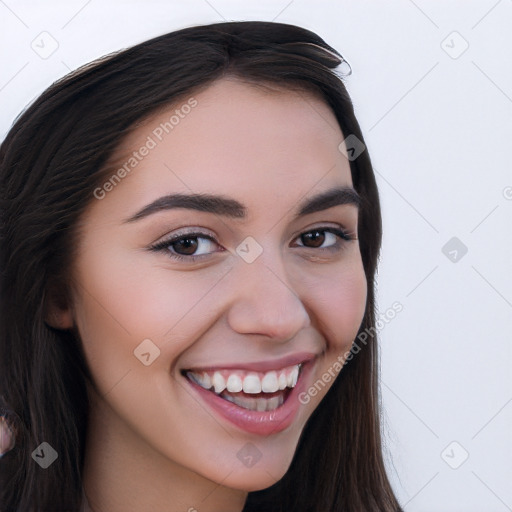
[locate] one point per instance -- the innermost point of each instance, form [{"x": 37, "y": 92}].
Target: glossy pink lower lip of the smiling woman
[{"x": 256, "y": 422}]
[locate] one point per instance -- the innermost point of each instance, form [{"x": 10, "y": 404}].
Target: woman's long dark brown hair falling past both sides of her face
[{"x": 53, "y": 159}]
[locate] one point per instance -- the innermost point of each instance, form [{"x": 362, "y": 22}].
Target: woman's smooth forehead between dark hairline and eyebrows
[{"x": 236, "y": 138}]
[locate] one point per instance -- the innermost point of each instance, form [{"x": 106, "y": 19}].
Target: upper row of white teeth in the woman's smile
[{"x": 235, "y": 381}]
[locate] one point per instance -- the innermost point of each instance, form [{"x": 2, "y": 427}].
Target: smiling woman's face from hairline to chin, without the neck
[{"x": 237, "y": 286}]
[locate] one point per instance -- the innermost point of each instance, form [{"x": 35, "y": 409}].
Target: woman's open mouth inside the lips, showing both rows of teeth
[{"x": 254, "y": 391}]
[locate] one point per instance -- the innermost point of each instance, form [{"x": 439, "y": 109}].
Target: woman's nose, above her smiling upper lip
[{"x": 265, "y": 302}]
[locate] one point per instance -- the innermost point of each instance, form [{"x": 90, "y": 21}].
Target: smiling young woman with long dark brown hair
[{"x": 190, "y": 231}]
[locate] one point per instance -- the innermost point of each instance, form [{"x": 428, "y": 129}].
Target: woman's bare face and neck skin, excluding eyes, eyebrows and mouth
[{"x": 151, "y": 445}]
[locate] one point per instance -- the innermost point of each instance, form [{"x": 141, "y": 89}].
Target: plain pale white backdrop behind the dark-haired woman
[{"x": 438, "y": 126}]
